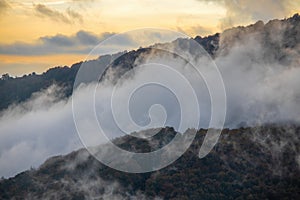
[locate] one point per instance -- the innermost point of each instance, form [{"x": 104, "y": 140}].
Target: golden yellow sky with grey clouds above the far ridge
[{"x": 31, "y": 28}]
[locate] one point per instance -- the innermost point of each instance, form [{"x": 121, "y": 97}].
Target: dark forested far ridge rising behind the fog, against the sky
[{"x": 280, "y": 38}]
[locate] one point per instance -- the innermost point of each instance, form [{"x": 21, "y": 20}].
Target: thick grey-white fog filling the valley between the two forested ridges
[{"x": 260, "y": 89}]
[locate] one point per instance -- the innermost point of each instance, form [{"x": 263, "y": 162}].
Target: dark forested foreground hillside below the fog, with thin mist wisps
[{"x": 247, "y": 163}]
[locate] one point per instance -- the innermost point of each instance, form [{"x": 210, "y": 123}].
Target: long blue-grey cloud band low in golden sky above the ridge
[{"x": 83, "y": 42}]
